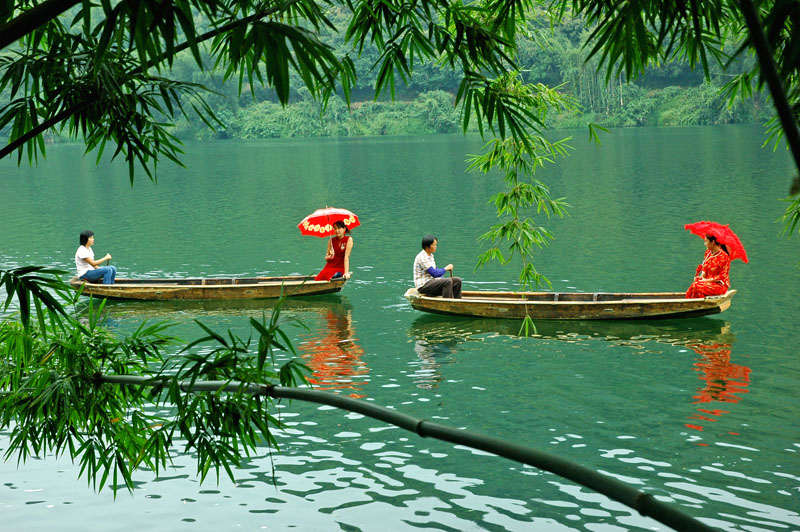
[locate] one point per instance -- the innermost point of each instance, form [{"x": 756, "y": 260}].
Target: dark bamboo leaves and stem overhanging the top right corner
[{"x": 633, "y": 34}]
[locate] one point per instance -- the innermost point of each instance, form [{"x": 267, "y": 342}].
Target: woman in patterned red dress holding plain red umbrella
[{"x": 722, "y": 245}]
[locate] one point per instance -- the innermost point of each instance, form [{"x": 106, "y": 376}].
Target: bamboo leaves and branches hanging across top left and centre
[{"x": 100, "y": 71}]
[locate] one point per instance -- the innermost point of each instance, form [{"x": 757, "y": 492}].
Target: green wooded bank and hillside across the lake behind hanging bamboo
[{"x": 671, "y": 94}]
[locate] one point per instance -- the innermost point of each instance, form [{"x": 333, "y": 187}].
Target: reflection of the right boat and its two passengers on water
[{"x": 436, "y": 341}]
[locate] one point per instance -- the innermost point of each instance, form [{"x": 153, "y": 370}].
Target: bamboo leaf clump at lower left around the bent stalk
[{"x": 118, "y": 404}]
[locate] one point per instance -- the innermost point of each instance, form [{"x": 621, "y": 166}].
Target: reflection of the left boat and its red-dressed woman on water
[{"x": 329, "y": 346}]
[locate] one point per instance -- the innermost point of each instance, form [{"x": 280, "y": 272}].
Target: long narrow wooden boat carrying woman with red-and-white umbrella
[{"x": 209, "y": 288}]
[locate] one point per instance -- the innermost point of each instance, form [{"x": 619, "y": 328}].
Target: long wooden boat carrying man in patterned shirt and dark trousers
[{"x": 571, "y": 306}]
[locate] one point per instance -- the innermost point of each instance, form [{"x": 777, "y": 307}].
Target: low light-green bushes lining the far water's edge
[{"x": 433, "y": 112}]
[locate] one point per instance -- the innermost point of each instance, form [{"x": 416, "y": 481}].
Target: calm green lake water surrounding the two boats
[{"x": 700, "y": 412}]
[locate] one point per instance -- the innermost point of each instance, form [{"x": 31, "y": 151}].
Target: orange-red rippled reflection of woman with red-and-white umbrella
[{"x": 332, "y": 351}]
